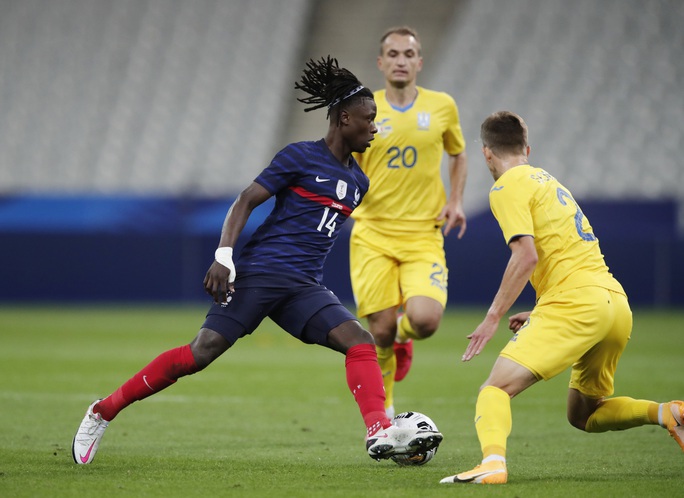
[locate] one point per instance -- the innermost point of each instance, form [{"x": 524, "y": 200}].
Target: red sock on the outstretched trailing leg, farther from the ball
[{"x": 159, "y": 374}]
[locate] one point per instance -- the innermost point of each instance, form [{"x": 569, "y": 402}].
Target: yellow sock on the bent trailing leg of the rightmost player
[{"x": 616, "y": 414}]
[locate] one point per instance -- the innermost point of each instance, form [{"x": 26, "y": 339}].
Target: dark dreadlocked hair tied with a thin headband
[{"x": 329, "y": 85}]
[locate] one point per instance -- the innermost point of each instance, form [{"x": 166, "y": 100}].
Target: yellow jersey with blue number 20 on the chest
[{"x": 404, "y": 162}]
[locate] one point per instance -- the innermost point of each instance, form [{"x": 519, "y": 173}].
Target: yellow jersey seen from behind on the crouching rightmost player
[{"x": 529, "y": 201}]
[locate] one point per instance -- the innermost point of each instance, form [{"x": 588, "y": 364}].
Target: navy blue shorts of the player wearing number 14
[{"x": 289, "y": 301}]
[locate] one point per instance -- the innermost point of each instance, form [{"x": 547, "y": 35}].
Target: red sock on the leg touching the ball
[{"x": 365, "y": 382}]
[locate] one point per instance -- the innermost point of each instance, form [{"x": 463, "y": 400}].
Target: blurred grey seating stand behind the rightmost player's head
[{"x": 600, "y": 84}]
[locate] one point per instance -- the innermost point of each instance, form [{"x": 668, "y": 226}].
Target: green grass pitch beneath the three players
[{"x": 274, "y": 417}]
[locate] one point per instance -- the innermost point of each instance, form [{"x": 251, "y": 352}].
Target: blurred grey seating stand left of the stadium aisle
[{"x": 143, "y": 96}]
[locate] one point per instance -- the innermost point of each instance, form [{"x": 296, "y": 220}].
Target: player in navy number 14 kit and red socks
[{"x": 278, "y": 273}]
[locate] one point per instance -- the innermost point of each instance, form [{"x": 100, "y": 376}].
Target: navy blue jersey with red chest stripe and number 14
[{"x": 314, "y": 195}]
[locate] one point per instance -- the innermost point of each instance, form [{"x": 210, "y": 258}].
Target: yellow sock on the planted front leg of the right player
[{"x": 493, "y": 420}]
